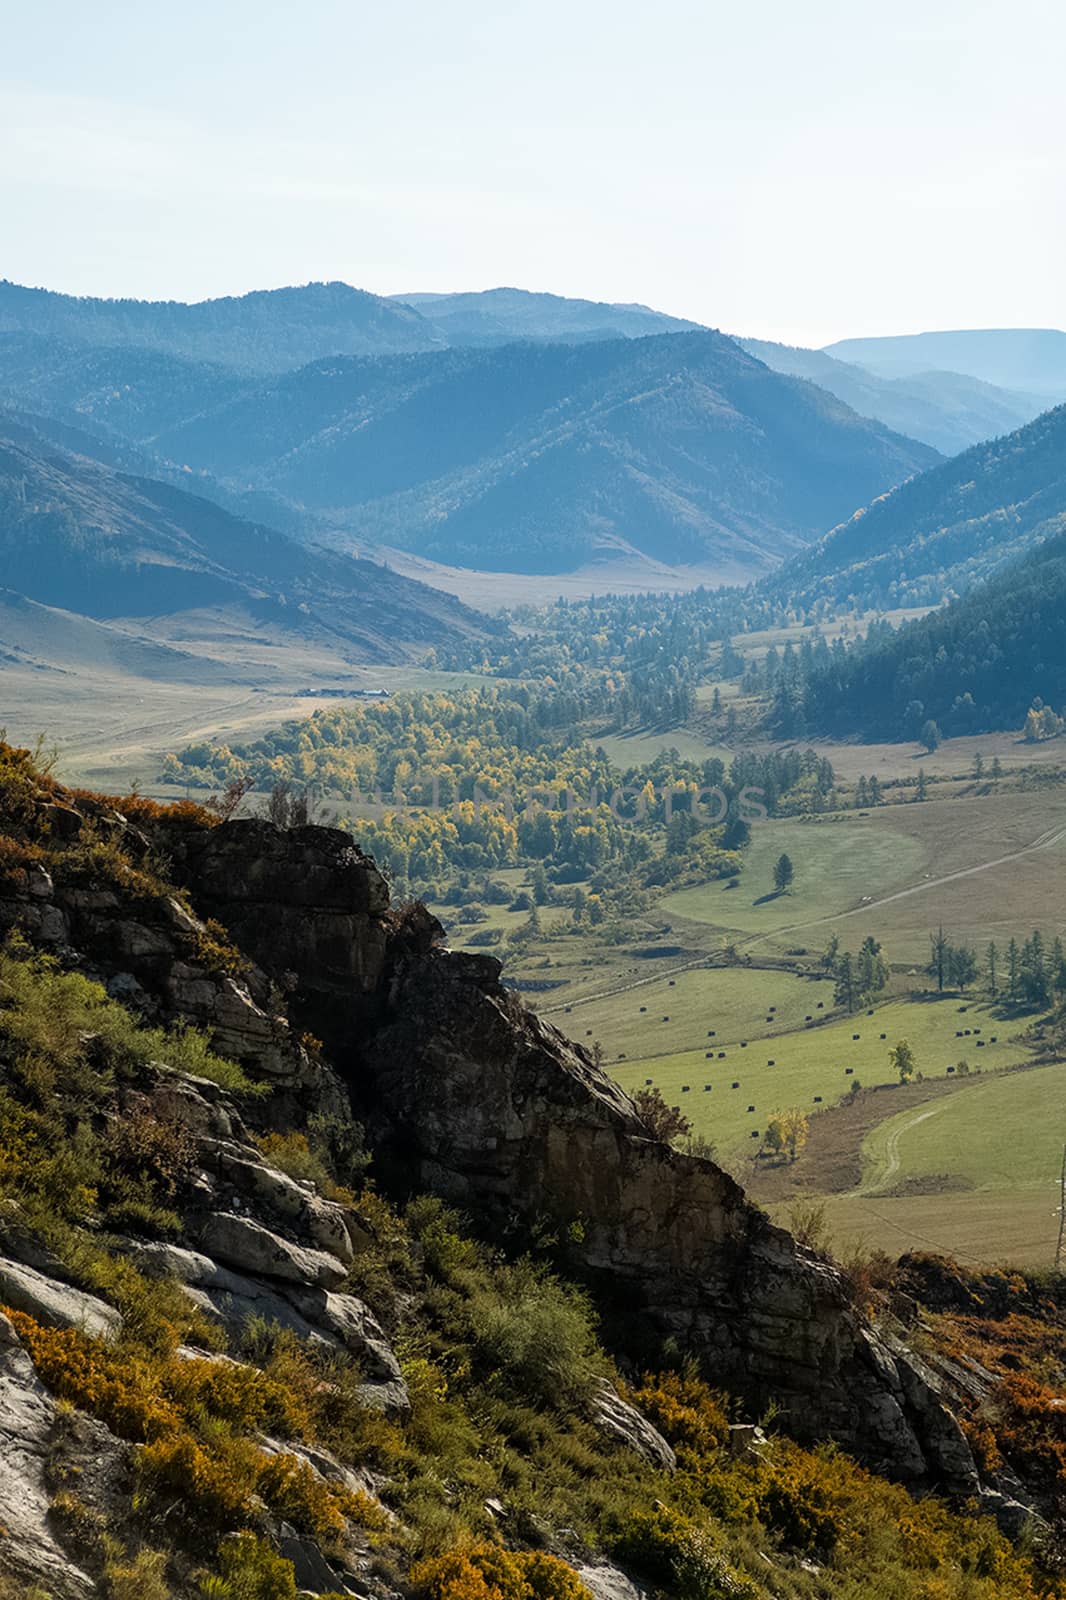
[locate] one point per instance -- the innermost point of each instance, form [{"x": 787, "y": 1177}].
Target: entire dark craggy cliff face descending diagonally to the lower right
[{"x": 473, "y": 1097}]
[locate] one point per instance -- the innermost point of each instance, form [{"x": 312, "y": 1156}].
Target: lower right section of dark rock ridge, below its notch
[{"x": 495, "y": 1110}]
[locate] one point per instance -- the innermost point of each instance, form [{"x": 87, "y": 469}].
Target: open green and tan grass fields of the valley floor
[{"x": 718, "y": 996}]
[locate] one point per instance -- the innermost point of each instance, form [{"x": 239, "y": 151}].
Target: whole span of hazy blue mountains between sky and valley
[{"x": 162, "y": 462}]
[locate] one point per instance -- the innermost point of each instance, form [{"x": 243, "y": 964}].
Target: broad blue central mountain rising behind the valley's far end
[{"x": 529, "y": 458}]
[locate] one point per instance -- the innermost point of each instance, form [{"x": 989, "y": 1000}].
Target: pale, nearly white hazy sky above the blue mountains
[{"x": 791, "y": 169}]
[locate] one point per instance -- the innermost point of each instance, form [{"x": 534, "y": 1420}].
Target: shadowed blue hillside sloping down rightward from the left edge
[{"x": 92, "y": 540}]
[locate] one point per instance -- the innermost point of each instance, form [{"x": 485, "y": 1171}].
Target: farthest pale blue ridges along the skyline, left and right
[{"x": 948, "y": 391}]
